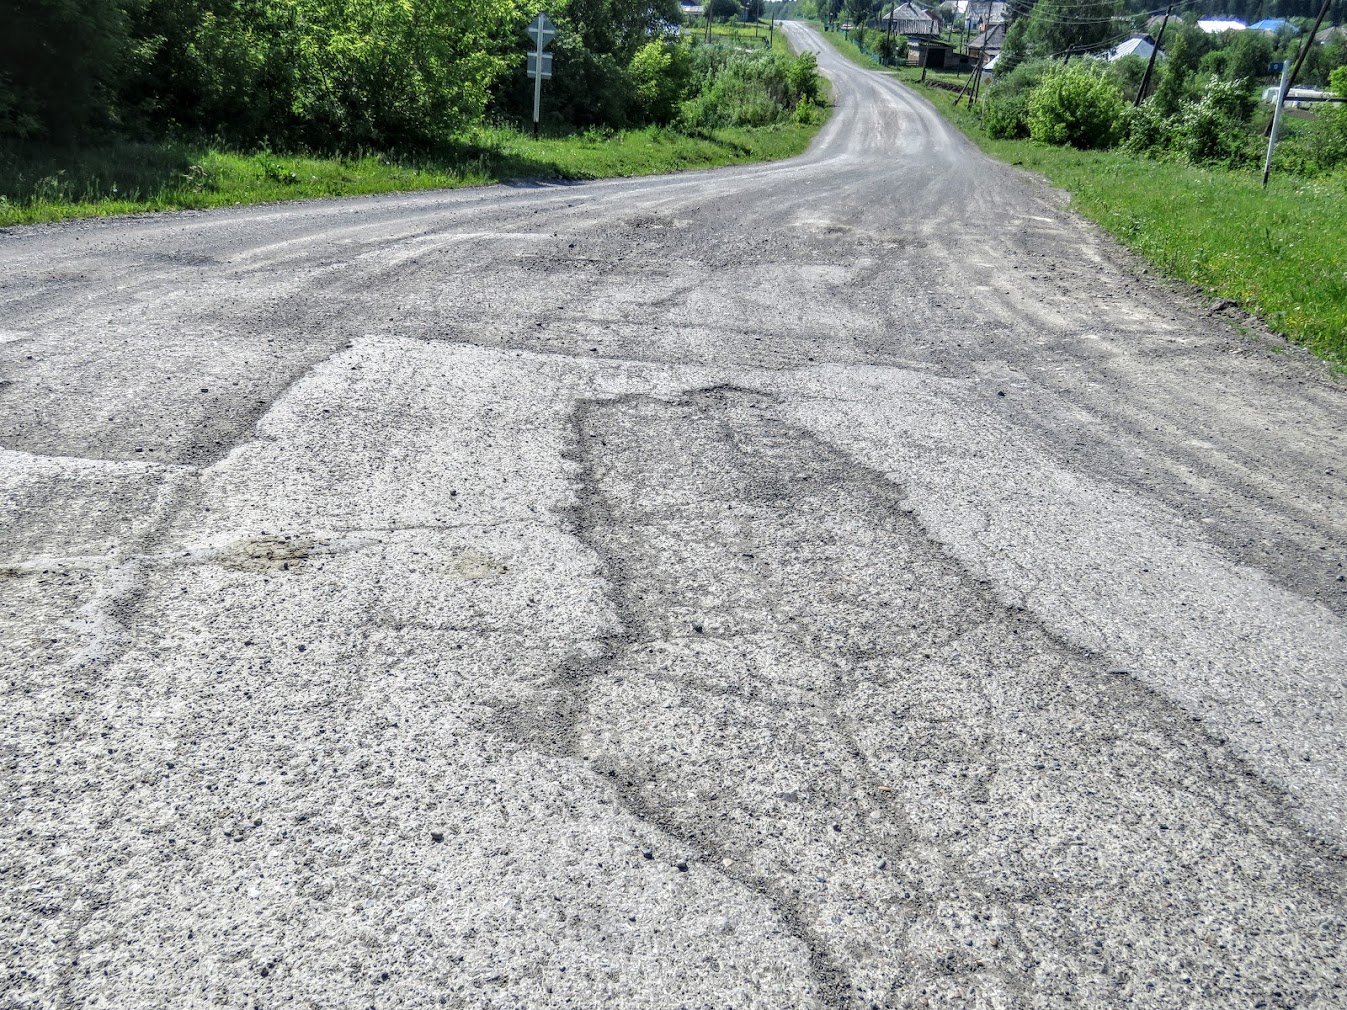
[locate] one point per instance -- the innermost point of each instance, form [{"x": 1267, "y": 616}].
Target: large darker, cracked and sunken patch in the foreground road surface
[{"x": 942, "y": 802}]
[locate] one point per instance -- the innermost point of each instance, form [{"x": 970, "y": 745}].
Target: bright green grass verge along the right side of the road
[{"x": 1278, "y": 254}]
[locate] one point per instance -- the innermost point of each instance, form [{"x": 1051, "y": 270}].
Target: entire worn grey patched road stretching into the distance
[{"x": 848, "y": 582}]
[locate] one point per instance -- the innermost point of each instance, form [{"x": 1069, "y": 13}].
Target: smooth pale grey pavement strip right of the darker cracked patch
[{"x": 1111, "y": 573}]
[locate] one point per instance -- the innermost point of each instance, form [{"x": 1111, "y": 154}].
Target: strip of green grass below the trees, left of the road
[{"x": 49, "y": 184}]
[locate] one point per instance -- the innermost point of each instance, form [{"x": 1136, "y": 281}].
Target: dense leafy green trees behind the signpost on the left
[{"x": 324, "y": 73}]
